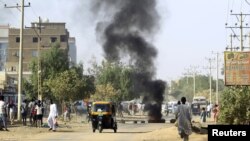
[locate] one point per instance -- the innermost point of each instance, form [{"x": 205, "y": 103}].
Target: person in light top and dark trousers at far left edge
[{"x": 3, "y": 113}]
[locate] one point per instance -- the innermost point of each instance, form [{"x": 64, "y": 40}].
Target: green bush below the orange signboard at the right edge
[{"x": 235, "y": 105}]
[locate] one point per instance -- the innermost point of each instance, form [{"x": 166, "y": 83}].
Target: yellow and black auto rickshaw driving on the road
[{"x": 103, "y": 116}]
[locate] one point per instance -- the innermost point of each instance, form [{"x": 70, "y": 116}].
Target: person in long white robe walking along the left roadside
[{"x": 52, "y": 116}]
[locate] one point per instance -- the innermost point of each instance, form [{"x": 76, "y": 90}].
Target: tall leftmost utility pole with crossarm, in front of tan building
[{"x": 20, "y": 70}]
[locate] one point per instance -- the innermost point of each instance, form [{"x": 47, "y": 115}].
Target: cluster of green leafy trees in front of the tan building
[{"x": 57, "y": 79}]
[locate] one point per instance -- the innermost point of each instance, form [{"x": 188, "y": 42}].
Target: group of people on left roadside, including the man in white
[{"x": 34, "y": 110}]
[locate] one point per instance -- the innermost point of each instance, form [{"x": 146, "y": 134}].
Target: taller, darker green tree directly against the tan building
[{"x": 53, "y": 61}]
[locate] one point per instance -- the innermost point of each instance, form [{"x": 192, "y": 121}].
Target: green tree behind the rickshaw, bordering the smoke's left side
[{"x": 117, "y": 75}]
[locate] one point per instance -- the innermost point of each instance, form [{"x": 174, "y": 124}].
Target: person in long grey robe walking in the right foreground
[{"x": 183, "y": 113}]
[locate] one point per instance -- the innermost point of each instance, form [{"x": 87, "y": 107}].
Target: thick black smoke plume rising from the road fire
[{"x": 127, "y": 31}]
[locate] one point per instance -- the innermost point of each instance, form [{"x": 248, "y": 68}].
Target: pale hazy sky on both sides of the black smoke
[{"x": 191, "y": 31}]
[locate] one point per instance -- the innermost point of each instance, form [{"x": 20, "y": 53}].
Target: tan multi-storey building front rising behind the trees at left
[{"x": 34, "y": 41}]
